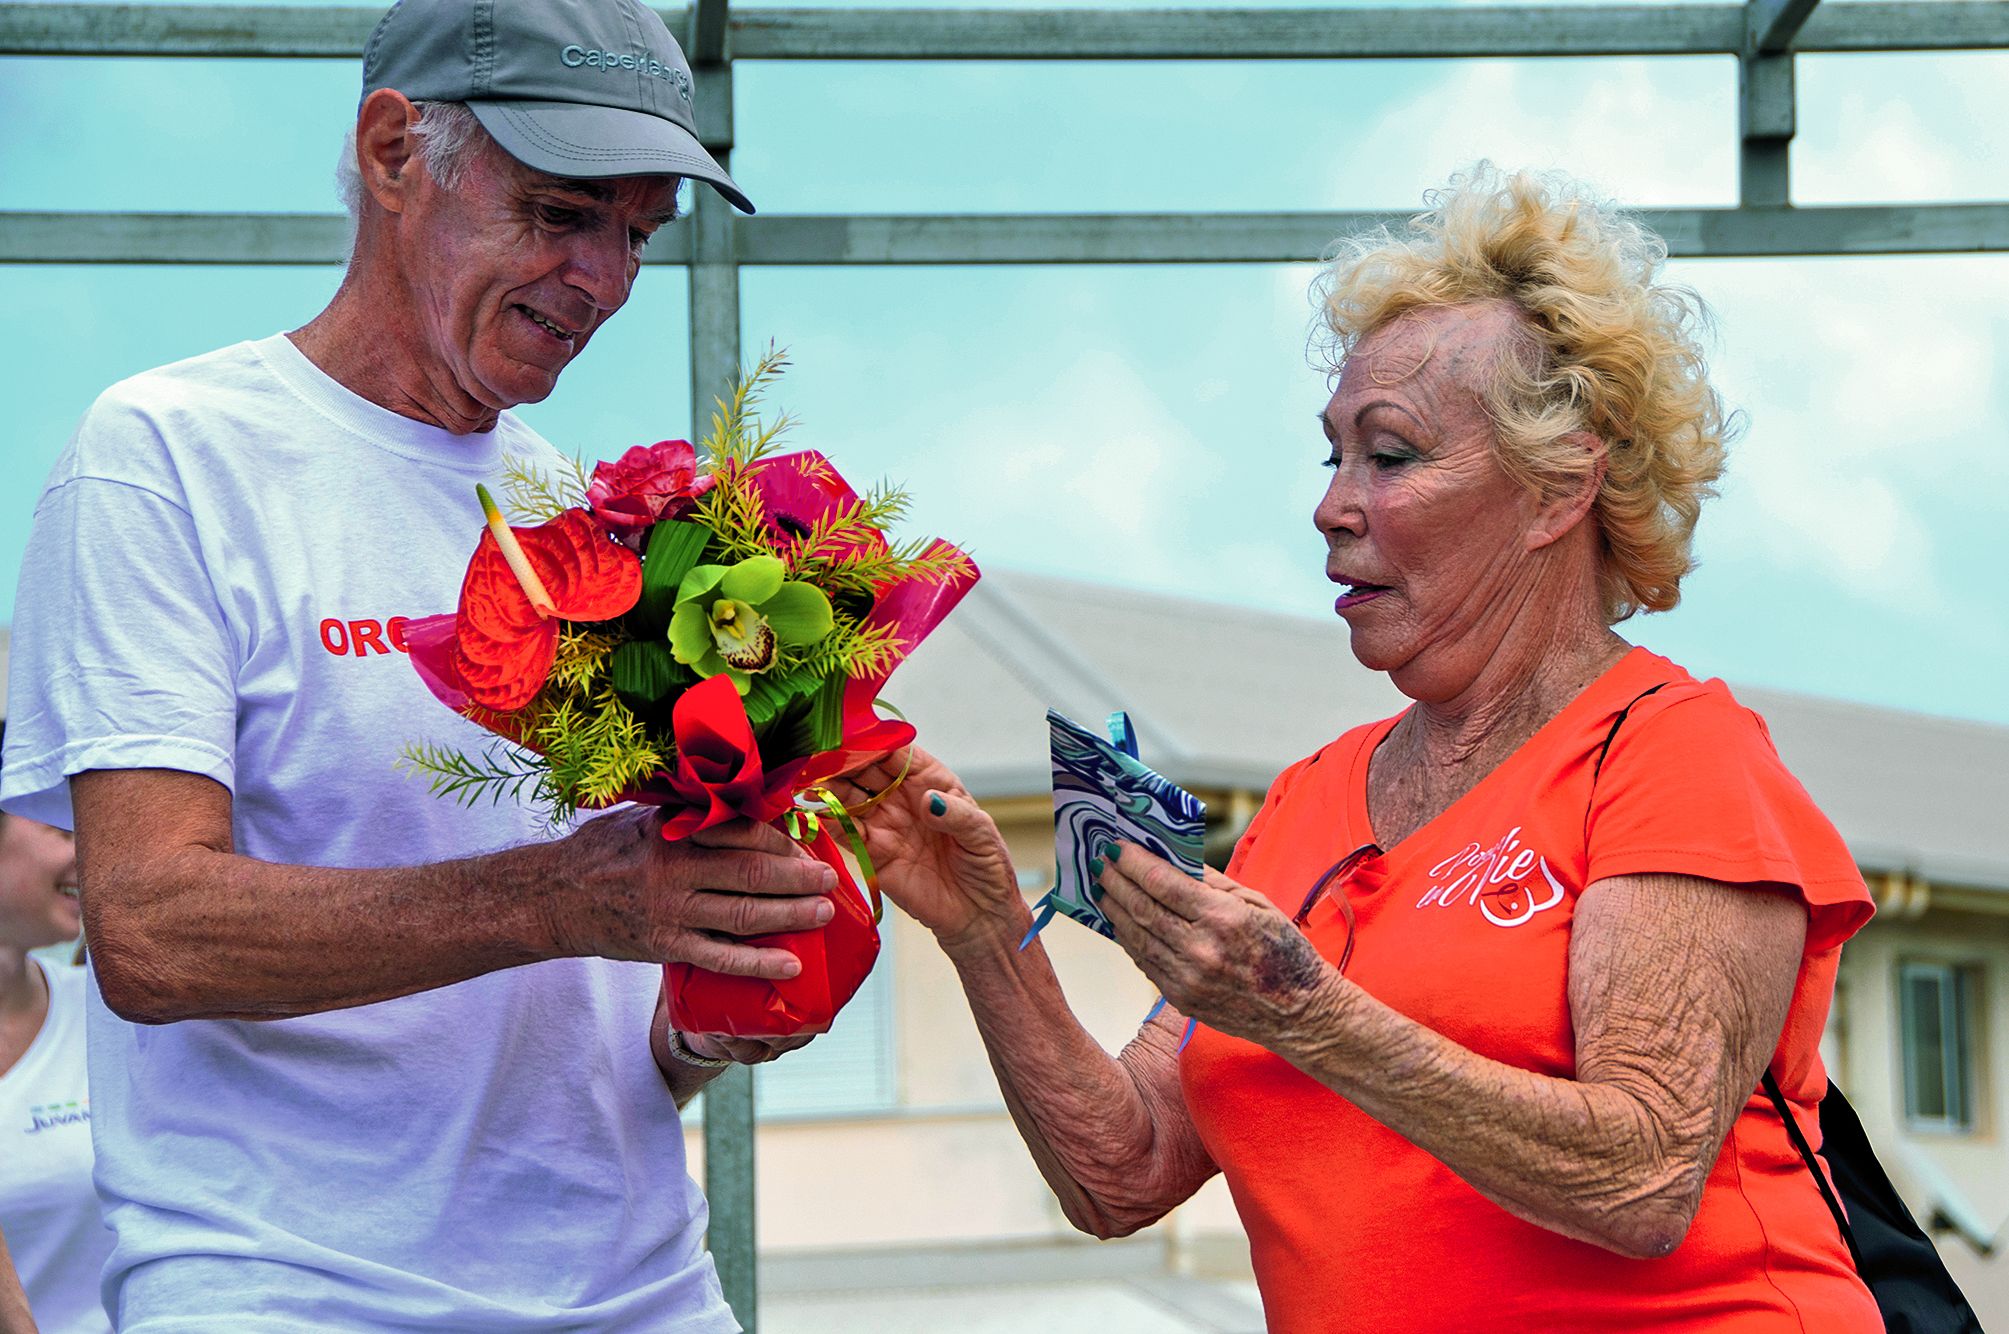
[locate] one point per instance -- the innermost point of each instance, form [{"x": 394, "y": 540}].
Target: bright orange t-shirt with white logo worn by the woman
[{"x": 1466, "y": 929}]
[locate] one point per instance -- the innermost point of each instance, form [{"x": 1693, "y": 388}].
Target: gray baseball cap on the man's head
[{"x": 568, "y": 87}]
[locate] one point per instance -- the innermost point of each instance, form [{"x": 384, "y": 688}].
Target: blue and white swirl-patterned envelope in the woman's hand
[{"x": 1104, "y": 793}]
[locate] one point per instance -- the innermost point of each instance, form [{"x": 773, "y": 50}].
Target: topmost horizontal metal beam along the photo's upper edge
[{"x": 1066, "y": 35}]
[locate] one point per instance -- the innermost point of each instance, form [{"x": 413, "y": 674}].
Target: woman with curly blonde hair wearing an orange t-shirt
[{"x": 1488, "y": 991}]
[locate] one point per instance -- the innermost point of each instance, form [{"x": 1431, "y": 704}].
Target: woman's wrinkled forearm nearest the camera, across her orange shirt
[{"x": 1618, "y": 1164}]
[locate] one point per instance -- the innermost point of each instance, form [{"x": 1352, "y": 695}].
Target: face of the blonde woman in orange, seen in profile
[{"x": 1423, "y": 527}]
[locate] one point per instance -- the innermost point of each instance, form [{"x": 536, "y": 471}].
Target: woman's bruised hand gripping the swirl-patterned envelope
[{"x": 1218, "y": 951}]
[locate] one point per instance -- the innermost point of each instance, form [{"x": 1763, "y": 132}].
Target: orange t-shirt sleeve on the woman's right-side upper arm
[{"x": 1697, "y": 789}]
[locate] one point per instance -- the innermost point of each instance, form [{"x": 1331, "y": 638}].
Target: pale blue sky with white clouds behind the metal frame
[{"x": 1154, "y": 427}]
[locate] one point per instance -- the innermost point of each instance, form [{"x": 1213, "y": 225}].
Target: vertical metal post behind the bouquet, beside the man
[{"x": 714, "y": 363}]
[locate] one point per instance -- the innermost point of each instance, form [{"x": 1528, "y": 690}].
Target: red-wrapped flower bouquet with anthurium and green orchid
[{"x": 706, "y": 636}]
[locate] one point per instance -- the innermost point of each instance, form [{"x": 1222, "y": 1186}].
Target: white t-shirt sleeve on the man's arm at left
[{"x": 122, "y": 656}]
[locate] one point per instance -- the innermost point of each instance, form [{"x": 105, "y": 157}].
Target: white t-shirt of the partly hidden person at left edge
[{"x": 49, "y": 1210}]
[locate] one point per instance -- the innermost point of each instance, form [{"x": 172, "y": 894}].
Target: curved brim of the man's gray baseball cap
[{"x": 572, "y": 140}]
